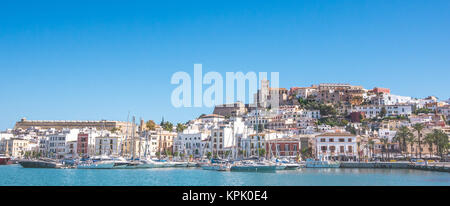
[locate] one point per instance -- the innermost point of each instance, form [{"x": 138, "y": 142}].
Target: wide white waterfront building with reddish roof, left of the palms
[{"x": 336, "y": 146}]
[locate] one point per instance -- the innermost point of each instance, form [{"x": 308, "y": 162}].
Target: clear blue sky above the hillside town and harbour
[{"x": 91, "y": 60}]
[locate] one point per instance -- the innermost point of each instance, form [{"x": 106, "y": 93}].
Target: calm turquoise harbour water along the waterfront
[{"x": 15, "y": 175}]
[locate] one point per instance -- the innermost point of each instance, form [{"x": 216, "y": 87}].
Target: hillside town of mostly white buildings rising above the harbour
[{"x": 338, "y": 122}]
